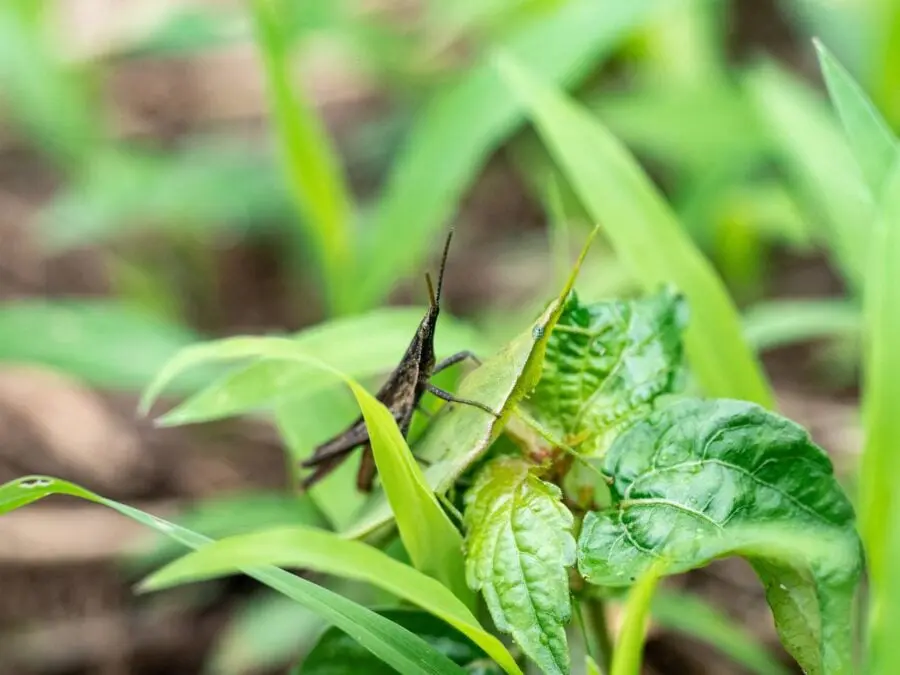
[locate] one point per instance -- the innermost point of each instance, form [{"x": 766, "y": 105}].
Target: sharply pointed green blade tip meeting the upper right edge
[{"x": 871, "y": 139}]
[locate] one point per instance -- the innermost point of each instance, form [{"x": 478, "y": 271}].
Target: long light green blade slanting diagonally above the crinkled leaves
[{"x": 644, "y": 232}]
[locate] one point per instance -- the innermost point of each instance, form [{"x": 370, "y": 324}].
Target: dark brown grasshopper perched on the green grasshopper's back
[{"x": 401, "y": 394}]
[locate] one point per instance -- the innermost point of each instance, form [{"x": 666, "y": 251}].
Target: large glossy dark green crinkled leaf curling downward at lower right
[{"x": 688, "y": 482}]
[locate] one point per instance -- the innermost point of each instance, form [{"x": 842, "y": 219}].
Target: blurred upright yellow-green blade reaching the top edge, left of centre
[{"x": 312, "y": 165}]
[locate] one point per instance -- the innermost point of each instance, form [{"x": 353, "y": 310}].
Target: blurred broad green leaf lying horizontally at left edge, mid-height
[{"x": 103, "y": 342}]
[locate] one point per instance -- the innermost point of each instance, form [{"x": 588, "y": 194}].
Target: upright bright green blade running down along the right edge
[{"x": 881, "y": 389}]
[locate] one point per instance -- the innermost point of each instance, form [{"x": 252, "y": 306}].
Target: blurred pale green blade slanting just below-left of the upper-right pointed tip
[{"x": 809, "y": 144}]
